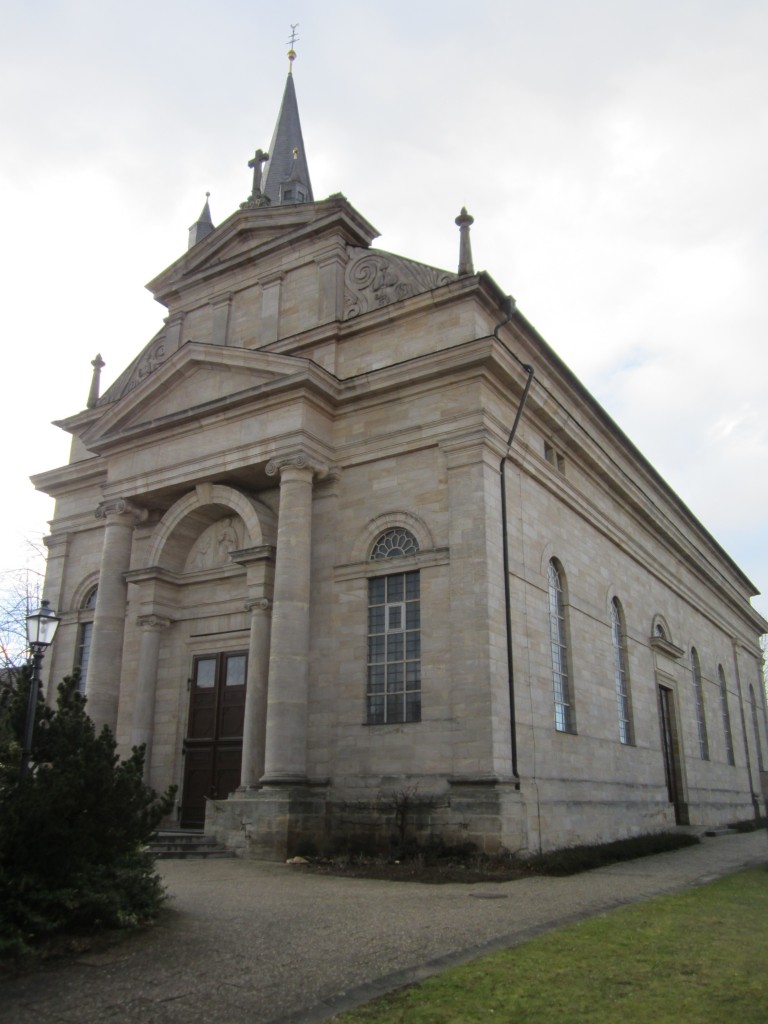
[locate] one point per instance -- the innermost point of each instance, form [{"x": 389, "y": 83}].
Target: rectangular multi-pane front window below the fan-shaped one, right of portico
[{"x": 394, "y": 693}]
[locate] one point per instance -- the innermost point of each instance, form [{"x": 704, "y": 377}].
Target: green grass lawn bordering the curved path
[{"x": 698, "y": 957}]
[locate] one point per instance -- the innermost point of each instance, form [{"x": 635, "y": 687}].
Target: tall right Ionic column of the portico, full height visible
[{"x": 285, "y": 755}]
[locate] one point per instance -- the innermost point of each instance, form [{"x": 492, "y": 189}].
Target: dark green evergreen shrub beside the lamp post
[{"x": 73, "y": 832}]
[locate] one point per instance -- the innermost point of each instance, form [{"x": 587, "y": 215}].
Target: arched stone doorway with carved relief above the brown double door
[{"x": 209, "y": 565}]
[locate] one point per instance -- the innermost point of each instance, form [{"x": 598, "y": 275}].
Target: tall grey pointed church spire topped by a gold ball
[{"x": 287, "y": 177}]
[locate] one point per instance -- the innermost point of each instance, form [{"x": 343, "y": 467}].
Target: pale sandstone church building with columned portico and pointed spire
[{"x": 351, "y": 549}]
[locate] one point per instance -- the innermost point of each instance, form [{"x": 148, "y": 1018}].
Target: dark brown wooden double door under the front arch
[{"x": 214, "y": 747}]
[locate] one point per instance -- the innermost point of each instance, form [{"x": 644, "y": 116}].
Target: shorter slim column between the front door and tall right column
[{"x": 254, "y": 730}]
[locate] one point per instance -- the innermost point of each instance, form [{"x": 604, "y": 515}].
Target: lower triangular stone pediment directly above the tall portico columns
[{"x": 195, "y": 381}]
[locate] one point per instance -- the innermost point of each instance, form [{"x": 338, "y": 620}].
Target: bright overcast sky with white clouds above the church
[{"x": 615, "y": 157}]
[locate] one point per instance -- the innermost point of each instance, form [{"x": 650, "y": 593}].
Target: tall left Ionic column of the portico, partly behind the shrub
[{"x": 103, "y": 682}]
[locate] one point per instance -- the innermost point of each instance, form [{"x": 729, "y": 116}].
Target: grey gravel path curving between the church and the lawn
[{"x": 248, "y": 943}]
